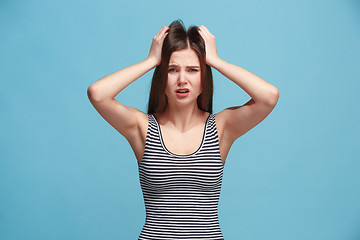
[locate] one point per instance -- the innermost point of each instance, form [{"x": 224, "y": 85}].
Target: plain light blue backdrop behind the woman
[{"x": 65, "y": 173}]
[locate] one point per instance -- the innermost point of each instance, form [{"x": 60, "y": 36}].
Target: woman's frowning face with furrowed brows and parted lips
[{"x": 184, "y": 77}]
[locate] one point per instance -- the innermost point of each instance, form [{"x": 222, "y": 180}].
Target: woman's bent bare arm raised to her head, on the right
[{"x": 236, "y": 121}]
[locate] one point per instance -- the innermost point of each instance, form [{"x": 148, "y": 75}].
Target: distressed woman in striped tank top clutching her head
[{"x": 179, "y": 144}]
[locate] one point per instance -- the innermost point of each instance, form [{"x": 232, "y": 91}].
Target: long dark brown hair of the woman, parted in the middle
[{"x": 178, "y": 39}]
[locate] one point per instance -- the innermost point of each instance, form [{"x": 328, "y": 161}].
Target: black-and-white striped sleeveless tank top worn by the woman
[{"x": 181, "y": 192}]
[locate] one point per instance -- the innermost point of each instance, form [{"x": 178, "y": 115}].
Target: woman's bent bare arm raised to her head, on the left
[{"x": 124, "y": 119}]
